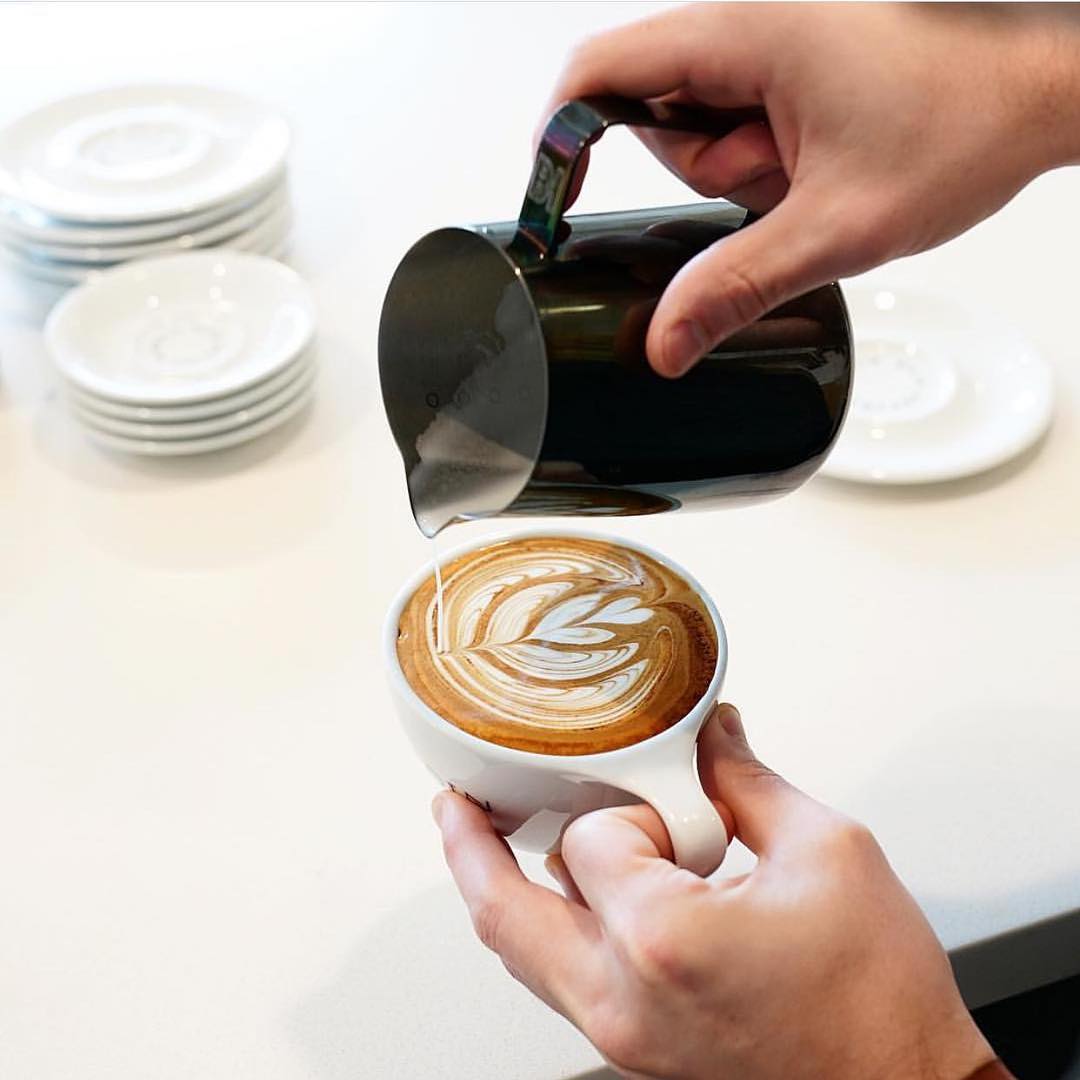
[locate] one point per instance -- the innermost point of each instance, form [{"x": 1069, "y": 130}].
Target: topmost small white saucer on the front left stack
[{"x": 181, "y": 329}]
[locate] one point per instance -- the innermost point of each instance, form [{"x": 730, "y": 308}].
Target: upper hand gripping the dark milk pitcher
[{"x": 893, "y": 128}]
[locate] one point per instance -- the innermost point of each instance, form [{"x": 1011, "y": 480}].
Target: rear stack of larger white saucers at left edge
[{"x": 98, "y": 180}]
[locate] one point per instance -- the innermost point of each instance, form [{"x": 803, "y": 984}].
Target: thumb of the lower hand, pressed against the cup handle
[{"x": 768, "y": 812}]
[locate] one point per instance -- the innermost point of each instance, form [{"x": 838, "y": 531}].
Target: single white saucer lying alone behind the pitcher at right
[{"x": 941, "y": 391}]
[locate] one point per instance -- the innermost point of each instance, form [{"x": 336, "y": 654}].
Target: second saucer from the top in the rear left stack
[{"x": 30, "y": 226}]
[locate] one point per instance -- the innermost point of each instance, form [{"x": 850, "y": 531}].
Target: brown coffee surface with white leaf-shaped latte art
[{"x": 559, "y": 645}]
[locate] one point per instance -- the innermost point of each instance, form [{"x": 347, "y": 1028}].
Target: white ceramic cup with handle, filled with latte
[{"x": 533, "y": 798}]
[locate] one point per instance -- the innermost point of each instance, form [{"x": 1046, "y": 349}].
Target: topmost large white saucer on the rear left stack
[{"x": 139, "y": 154}]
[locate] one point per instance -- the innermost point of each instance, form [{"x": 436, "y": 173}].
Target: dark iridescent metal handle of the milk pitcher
[{"x": 572, "y": 129}]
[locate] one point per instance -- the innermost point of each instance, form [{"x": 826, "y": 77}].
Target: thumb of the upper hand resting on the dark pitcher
[{"x": 736, "y": 281}]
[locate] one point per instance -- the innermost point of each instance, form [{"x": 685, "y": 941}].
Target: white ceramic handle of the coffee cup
[{"x": 672, "y": 787}]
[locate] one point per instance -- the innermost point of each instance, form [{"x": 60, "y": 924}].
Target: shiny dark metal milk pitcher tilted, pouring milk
[{"x": 514, "y": 369}]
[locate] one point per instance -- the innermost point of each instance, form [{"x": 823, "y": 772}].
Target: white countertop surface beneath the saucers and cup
[{"x": 218, "y": 860}]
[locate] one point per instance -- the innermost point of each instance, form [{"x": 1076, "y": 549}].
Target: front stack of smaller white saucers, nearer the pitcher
[{"x": 186, "y": 354}]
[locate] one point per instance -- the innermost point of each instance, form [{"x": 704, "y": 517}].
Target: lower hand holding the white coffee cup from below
[{"x": 818, "y": 964}]
